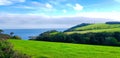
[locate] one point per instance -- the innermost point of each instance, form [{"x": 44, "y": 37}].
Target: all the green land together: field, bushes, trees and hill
[{"x": 86, "y": 40}]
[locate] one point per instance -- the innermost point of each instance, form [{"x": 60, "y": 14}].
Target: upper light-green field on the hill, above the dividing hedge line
[{"x": 97, "y": 27}]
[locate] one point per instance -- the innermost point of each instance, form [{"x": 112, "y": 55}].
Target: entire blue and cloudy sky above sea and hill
[{"x": 15, "y": 14}]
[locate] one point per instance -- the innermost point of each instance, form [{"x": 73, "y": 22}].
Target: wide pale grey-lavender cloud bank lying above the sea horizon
[{"x": 44, "y": 21}]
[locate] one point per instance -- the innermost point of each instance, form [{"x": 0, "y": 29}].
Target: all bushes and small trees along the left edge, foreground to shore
[{"x": 6, "y": 48}]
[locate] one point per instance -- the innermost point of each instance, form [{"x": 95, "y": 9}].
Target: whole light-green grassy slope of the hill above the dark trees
[{"x": 96, "y": 28}]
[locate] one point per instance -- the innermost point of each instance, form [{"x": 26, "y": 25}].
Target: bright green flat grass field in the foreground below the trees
[{"x": 41, "y": 49}]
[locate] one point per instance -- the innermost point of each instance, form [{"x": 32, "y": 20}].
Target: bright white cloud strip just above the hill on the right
[{"x": 108, "y": 15}]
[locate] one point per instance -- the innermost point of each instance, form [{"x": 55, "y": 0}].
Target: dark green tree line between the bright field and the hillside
[{"x": 101, "y": 38}]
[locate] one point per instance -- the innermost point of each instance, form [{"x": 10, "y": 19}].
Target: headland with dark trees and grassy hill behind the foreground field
[{"x": 97, "y": 34}]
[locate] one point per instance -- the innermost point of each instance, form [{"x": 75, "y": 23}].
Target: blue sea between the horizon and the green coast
[{"x": 25, "y": 33}]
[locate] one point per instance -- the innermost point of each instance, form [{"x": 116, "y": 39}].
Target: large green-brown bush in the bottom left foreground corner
[{"x": 6, "y": 51}]
